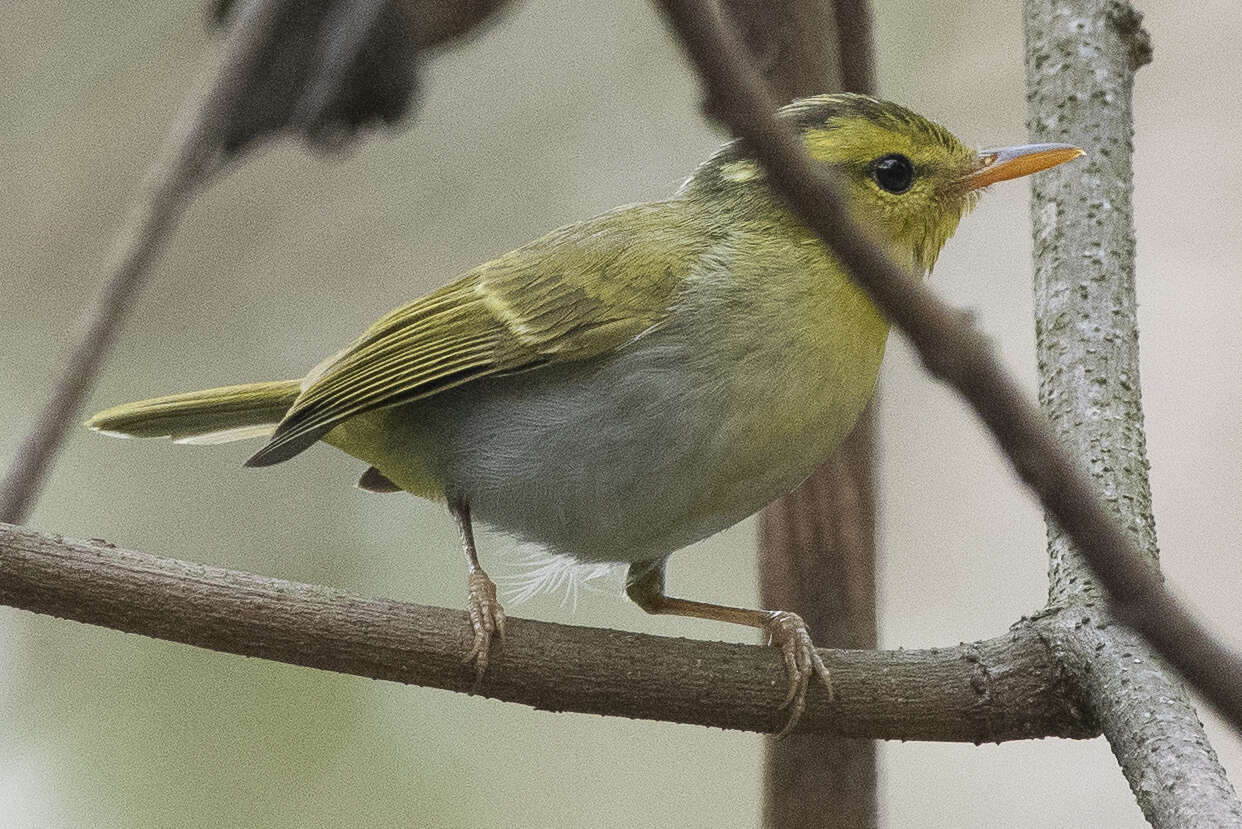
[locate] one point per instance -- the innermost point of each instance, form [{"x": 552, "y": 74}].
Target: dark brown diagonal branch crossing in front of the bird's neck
[{"x": 956, "y": 352}]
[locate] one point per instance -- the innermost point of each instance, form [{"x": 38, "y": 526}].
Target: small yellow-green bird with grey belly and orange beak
[{"x": 627, "y": 386}]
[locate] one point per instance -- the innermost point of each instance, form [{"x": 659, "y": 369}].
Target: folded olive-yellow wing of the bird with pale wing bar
[{"x": 579, "y": 293}]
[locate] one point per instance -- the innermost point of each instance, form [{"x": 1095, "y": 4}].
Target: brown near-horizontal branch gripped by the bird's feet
[{"x": 1003, "y": 689}]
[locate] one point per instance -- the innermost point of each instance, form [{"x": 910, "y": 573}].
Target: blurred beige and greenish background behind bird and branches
[{"x": 561, "y": 111}]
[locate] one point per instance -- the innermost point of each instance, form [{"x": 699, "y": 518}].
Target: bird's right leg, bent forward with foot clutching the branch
[{"x": 645, "y": 586}]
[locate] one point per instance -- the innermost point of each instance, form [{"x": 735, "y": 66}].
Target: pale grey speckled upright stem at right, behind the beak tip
[{"x": 1081, "y": 62}]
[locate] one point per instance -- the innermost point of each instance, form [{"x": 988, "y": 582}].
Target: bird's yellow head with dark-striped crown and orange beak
[{"x": 909, "y": 180}]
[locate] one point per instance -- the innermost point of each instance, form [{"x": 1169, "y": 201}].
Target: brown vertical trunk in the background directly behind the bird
[{"x": 818, "y": 545}]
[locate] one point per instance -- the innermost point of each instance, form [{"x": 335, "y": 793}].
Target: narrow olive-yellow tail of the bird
[{"x": 208, "y": 417}]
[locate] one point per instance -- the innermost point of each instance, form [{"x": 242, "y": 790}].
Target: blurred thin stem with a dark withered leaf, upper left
[{"x": 324, "y": 71}]
